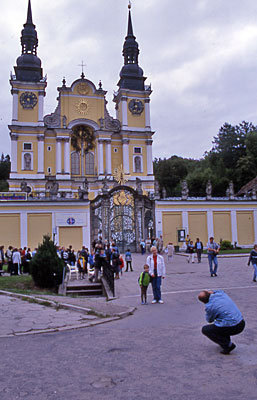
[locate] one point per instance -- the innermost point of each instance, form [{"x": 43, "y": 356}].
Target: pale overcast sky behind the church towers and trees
[{"x": 200, "y": 57}]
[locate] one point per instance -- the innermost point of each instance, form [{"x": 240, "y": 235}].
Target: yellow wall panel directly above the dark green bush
[{"x": 38, "y": 226}]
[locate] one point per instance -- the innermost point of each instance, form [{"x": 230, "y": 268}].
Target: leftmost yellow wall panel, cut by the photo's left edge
[{"x": 10, "y": 230}]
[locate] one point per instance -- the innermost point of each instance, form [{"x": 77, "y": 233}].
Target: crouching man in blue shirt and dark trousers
[{"x": 226, "y": 317}]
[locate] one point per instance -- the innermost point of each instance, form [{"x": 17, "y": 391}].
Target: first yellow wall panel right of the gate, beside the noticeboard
[{"x": 170, "y": 222}]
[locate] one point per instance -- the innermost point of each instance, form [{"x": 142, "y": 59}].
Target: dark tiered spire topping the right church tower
[{"x": 131, "y": 75}]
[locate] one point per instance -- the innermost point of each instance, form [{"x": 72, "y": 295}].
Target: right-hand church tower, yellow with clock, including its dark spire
[{"x": 133, "y": 111}]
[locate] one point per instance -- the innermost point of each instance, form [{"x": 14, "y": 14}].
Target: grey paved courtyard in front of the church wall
[{"x": 158, "y": 352}]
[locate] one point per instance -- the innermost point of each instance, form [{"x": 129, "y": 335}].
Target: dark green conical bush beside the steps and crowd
[{"x": 46, "y": 267}]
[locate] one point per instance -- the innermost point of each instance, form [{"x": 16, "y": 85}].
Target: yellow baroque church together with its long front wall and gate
[{"x": 78, "y": 173}]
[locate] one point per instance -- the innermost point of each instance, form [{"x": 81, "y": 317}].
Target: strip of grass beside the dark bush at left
[{"x": 21, "y": 284}]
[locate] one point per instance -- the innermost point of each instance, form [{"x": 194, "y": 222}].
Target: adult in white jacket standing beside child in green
[{"x": 157, "y": 271}]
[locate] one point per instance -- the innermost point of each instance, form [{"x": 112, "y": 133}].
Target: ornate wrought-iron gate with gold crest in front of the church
[{"x": 122, "y": 215}]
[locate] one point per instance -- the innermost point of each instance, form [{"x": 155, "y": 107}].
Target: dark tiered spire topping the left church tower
[{"x": 28, "y": 64}]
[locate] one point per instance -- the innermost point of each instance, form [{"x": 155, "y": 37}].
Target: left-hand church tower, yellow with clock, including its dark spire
[{"x": 27, "y": 127}]
